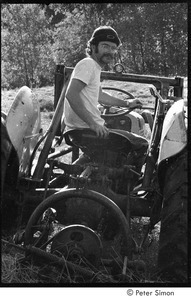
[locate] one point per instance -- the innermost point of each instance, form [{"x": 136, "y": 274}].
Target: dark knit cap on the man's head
[{"x": 105, "y": 33}]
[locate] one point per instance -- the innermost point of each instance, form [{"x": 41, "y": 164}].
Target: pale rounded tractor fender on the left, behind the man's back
[{"x": 23, "y": 124}]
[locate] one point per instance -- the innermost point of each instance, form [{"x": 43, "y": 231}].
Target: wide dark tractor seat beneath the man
[{"x": 117, "y": 140}]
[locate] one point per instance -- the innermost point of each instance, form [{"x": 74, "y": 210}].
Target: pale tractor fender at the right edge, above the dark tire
[{"x": 174, "y": 132}]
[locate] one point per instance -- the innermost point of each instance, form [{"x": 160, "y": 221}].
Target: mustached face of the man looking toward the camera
[{"x": 104, "y": 52}]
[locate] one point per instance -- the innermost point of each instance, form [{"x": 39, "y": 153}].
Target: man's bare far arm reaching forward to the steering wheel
[{"x": 107, "y": 99}]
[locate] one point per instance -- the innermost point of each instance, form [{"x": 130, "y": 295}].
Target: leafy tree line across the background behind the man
[{"x": 37, "y": 37}]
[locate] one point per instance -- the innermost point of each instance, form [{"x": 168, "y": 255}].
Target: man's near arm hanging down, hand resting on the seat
[{"x": 77, "y": 104}]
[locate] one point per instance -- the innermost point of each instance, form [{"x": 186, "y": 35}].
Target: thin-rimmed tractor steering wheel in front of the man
[{"x": 121, "y": 110}]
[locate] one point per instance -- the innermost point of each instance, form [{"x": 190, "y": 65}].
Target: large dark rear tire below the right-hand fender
[{"x": 172, "y": 258}]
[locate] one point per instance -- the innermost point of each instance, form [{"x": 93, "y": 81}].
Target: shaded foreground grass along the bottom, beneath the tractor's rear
[{"x": 16, "y": 270}]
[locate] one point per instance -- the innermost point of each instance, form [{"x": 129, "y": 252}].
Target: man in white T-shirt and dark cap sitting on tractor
[{"x": 84, "y": 91}]
